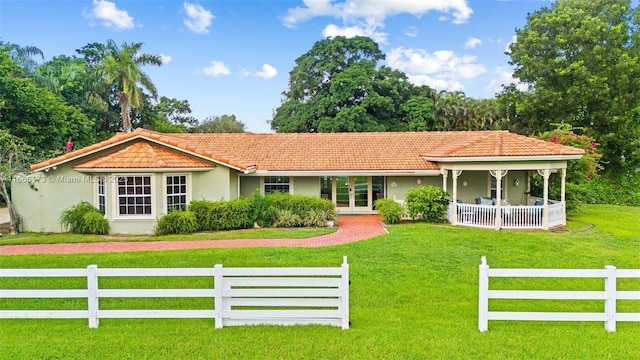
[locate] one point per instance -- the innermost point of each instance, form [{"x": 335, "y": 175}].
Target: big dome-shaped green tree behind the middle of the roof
[{"x": 337, "y": 86}]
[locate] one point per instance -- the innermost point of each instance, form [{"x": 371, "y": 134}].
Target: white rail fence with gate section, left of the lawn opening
[{"x": 240, "y": 296}]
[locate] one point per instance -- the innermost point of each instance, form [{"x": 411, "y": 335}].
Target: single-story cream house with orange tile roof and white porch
[{"x": 135, "y": 178}]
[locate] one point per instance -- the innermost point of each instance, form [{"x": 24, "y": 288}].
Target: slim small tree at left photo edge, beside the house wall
[{"x": 14, "y": 162}]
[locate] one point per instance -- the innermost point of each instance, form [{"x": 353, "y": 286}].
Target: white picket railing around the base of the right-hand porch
[{"x": 513, "y": 216}]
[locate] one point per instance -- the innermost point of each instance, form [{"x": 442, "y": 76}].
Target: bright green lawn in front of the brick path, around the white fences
[{"x": 413, "y": 295}]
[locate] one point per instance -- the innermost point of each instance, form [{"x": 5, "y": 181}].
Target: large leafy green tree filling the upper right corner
[{"x": 581, "y": 61}]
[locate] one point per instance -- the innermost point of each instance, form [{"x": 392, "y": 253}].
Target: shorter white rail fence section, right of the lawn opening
[{"x": 609, "y": 295}]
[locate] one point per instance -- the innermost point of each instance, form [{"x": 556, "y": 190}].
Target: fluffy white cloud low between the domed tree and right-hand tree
[{"x": 442, "y": 69}]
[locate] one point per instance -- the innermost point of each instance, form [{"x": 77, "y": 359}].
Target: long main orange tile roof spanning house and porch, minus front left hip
[{"x": 337, "y": 151}]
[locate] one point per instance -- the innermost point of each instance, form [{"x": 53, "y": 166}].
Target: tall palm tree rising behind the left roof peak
[{"x": 119, "y": 68}]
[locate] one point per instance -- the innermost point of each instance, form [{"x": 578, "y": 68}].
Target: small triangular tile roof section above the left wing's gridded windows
[{"x": 142, "y": 154}]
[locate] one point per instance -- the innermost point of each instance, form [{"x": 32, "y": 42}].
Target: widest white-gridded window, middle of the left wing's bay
[{"x": 134, "y": 195}]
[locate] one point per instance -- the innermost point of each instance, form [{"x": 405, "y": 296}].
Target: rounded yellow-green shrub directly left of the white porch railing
[{"x": 430, "y": 202}]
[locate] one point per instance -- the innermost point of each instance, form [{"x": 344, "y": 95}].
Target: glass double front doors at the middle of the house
[{"x": 352, "y": 193}]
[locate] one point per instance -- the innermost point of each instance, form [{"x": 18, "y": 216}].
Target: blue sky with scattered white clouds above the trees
[{"x": 234, "y": 56}]
